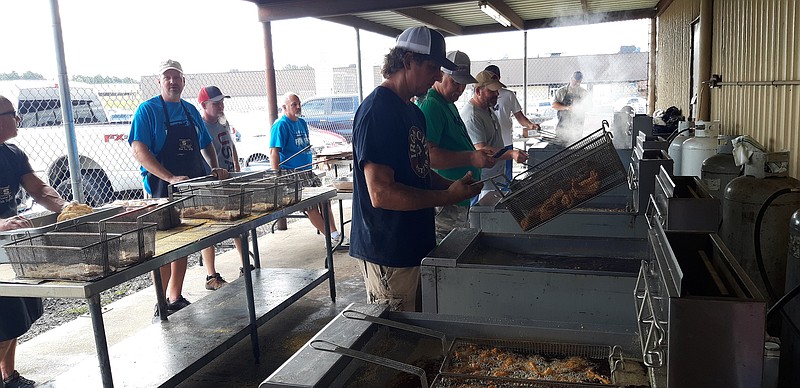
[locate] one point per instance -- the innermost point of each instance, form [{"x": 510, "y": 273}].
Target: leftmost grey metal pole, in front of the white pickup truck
[{"x": 66, "y": 106}]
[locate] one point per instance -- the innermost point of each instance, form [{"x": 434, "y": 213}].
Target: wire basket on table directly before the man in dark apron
[{"x": 216, "y": 203}]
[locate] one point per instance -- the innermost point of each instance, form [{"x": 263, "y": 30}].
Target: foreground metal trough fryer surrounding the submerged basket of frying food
[{"x": 336, "y": 370}]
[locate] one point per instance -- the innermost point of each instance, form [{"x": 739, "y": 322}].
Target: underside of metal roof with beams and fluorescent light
[{"x": 458, "y": 17}]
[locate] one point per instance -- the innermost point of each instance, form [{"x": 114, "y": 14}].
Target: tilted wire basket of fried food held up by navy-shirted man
[{"x": 574, "y": 175}]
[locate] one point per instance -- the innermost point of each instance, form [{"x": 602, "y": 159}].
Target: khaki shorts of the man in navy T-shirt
[{"x": 397, "y": 287}]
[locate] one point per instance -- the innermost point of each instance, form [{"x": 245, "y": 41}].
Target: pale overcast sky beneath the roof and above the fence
[{"x": 129, "y": 38}]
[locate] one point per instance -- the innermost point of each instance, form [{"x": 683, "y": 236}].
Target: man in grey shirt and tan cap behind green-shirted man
[{"x": 484, "y": 128}]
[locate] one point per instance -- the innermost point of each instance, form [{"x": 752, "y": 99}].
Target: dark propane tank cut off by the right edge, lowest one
[{"x": 790, "y": 340}]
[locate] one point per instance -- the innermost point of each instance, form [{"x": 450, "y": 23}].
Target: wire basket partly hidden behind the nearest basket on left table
[{"x": 137, "y": 239}]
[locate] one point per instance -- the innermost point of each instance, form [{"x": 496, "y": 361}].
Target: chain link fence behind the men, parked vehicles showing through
[{"x": 102, "y": 113}]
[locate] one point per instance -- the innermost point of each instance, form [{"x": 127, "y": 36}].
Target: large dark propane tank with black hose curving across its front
[{"x": 743, "y": 199}]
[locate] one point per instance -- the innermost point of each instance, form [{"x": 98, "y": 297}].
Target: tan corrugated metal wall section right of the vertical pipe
[{"x": 756, "y": 40}]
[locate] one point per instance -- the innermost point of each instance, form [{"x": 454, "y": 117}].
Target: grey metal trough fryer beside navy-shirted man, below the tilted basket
[{"x": 586, "y": 280}]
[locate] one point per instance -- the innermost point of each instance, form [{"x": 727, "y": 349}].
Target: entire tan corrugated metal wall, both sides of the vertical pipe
[{"x": 753, "y": 40}]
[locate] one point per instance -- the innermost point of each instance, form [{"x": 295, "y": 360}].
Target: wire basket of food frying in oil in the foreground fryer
[{"x": 525, "y": 360}]
